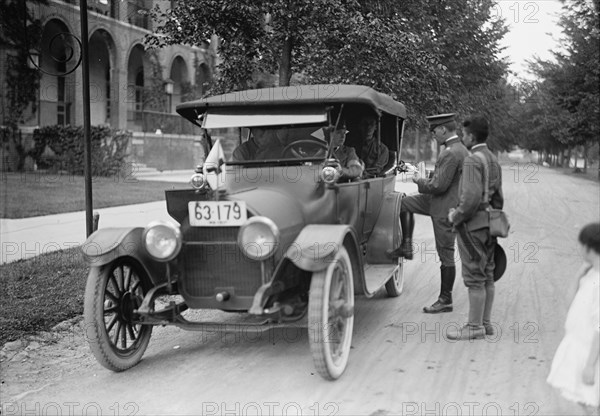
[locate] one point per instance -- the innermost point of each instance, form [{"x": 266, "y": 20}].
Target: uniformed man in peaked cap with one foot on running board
[{"x": 436, "y": 196}]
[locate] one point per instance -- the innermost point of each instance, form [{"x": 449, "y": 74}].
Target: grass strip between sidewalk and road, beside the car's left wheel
[{"x": 38, "y": 293}]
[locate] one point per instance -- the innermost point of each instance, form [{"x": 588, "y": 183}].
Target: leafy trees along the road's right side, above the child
[{"x": 558, "y": 114}]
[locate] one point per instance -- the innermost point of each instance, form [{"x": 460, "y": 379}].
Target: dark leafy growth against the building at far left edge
[{"x": 19, "y": 32}]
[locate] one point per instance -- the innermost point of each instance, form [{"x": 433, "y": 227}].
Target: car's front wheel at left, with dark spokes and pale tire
[{"x": 115, "y": 335}]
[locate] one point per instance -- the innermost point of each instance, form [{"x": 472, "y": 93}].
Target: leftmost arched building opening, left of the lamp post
[{"x": 58, "y": 55}]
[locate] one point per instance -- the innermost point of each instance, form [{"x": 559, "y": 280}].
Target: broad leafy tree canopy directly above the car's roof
[{"x": 432, "y": 56}]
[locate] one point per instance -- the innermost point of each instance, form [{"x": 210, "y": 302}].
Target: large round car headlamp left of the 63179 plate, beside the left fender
[{"x": 162, "y": 240}]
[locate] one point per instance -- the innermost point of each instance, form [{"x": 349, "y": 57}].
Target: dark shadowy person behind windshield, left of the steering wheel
[{"x": 265, "y": 143}]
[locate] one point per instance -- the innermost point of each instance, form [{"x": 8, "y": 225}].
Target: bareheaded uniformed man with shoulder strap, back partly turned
[{"x": 475, "y": 244}]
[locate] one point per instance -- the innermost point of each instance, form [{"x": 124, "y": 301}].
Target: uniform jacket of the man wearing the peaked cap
[{"x": 443, "y": 185}]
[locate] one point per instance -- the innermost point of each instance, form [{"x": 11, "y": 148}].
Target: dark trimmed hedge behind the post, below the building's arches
[{"x": 109, "y": 148}]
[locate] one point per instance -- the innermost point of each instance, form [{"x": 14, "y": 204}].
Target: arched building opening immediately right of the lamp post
[{"x": 101, "y": 65}]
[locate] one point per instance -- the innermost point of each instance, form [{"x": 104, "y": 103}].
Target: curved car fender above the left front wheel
[{"x": 108, "y": 244}]
